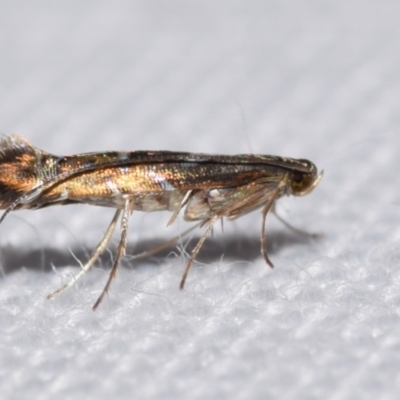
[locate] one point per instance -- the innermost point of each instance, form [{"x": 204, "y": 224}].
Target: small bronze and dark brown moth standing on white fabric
[{"x": 208, "y": 188}]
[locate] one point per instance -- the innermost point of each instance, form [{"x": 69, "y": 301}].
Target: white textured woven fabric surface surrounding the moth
[{"x": 316, "y": 80}]
